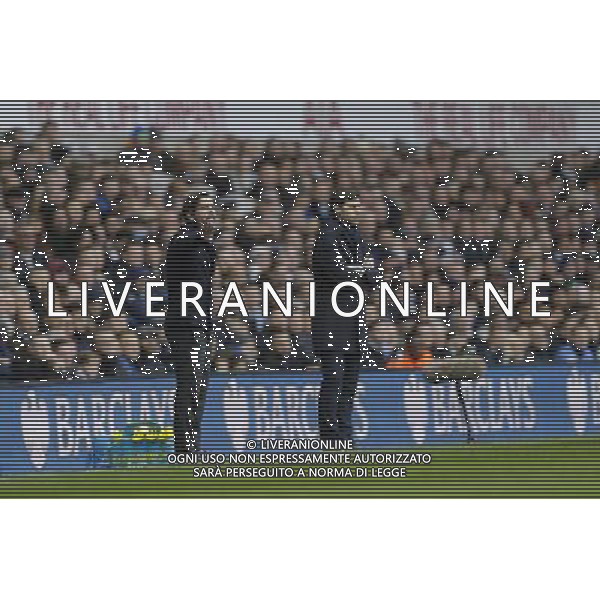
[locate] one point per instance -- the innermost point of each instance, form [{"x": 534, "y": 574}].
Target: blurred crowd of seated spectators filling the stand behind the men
[{"x": 435, "y": 213}]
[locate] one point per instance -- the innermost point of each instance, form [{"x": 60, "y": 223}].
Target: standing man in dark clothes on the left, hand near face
[{"x": 191, "y": 257}]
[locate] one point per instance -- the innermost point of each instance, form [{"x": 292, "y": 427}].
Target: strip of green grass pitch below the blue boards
[{"x": 565, "y": 468}]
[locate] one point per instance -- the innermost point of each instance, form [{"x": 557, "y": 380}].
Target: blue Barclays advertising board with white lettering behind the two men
[{"x": 70, "y": 426}]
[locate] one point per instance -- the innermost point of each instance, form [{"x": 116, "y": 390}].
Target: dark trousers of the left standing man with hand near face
[{"x": 190, "y": 354}]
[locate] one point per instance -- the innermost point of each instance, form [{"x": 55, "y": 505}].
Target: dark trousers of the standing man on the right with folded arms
[{"x": 340, "y": 370}]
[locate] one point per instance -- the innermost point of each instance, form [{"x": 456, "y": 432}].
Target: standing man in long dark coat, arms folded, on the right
[{"x": 339, "y": 255}]
